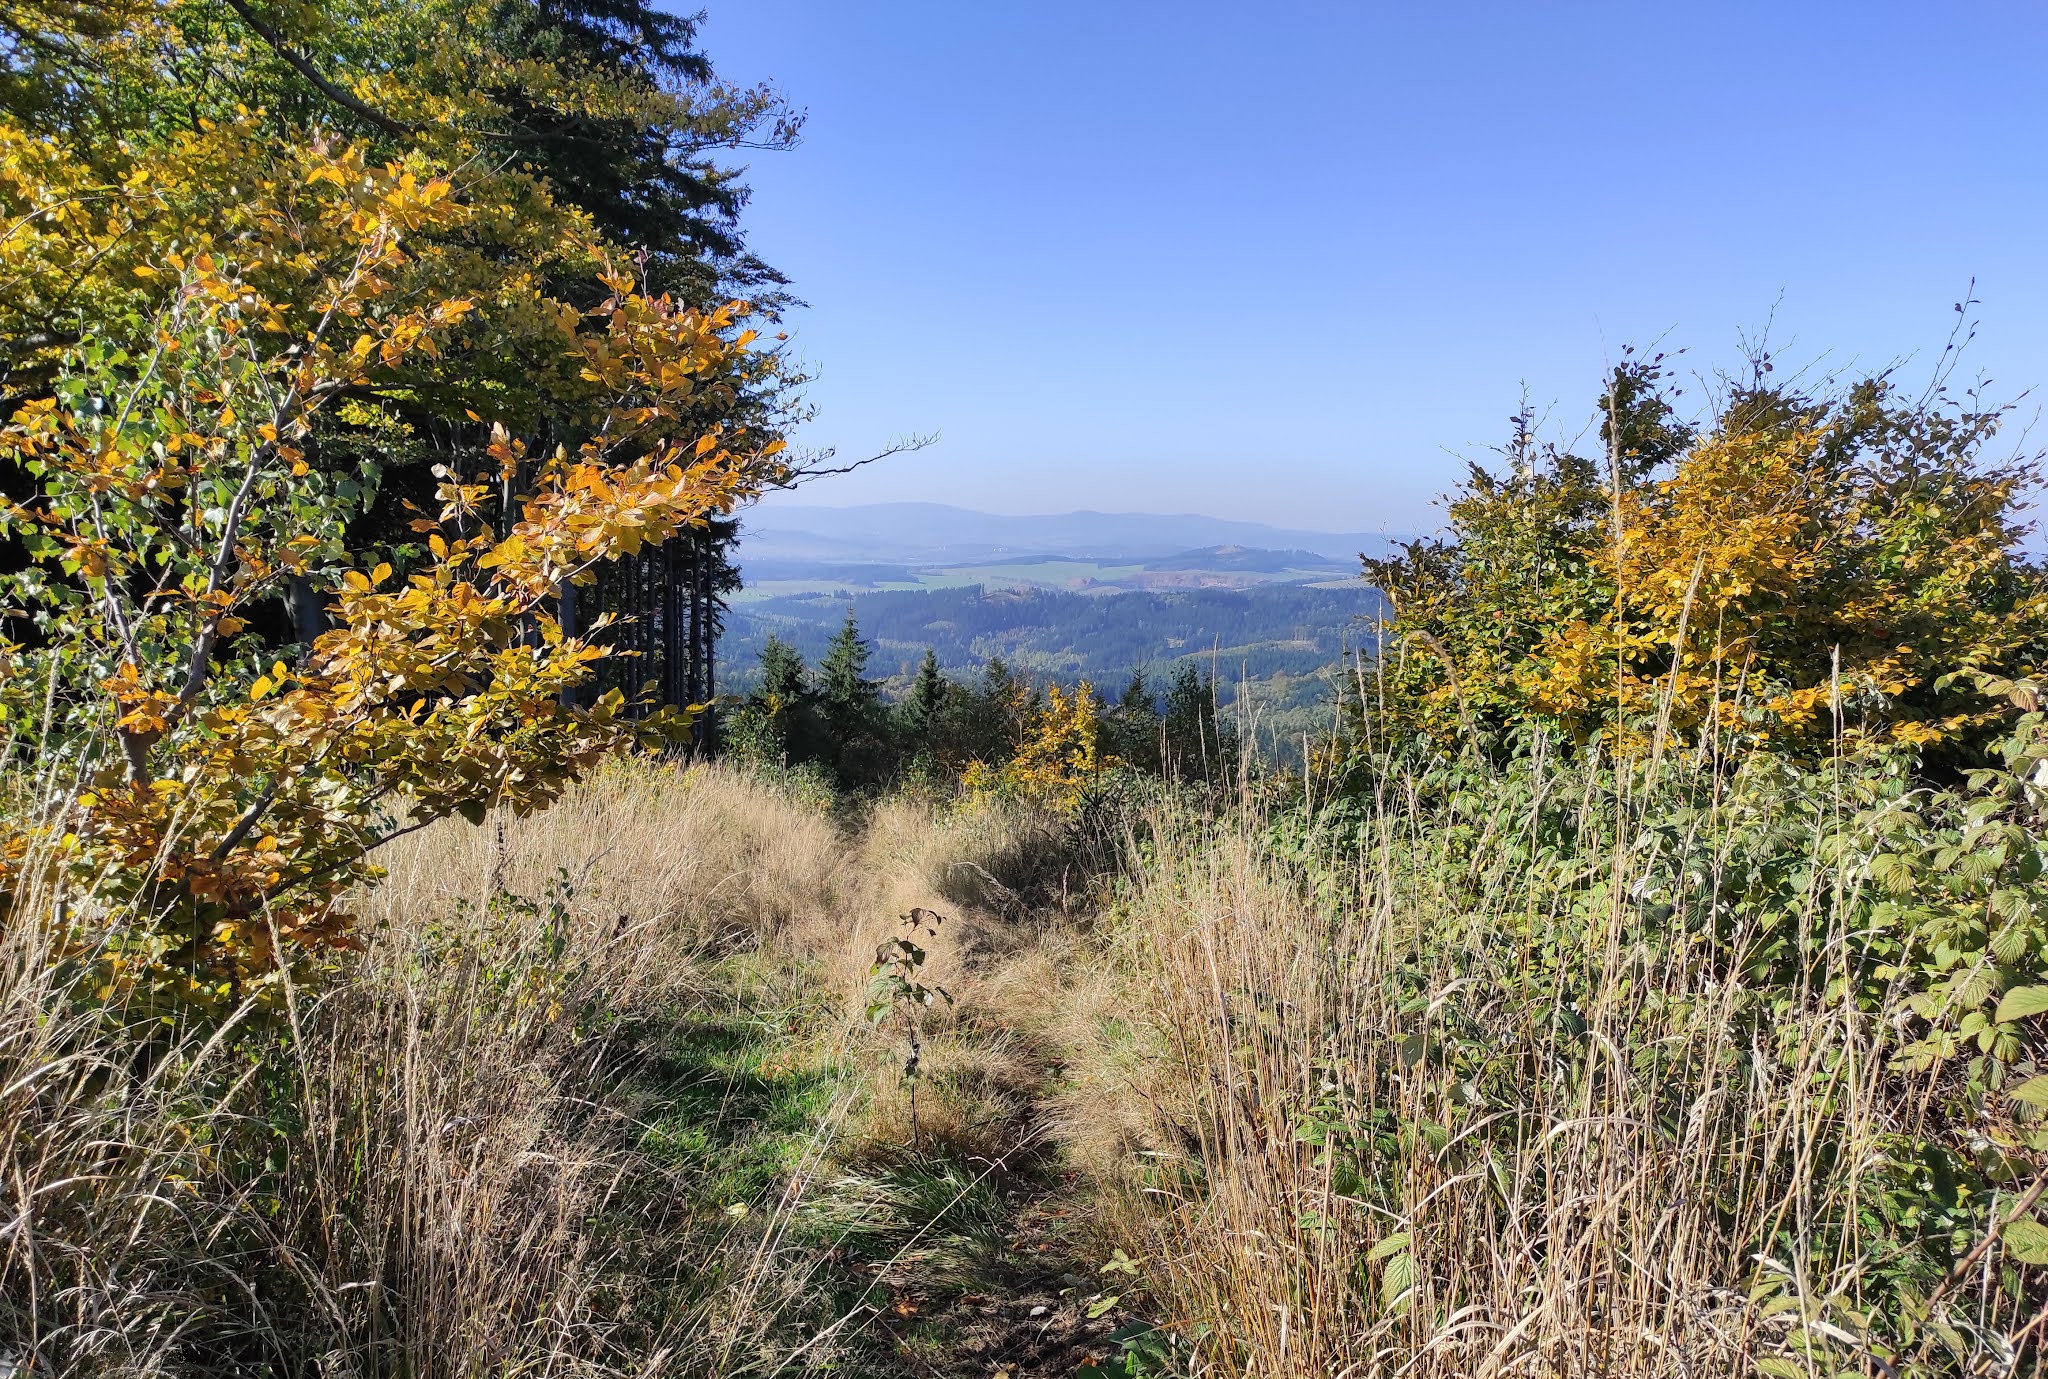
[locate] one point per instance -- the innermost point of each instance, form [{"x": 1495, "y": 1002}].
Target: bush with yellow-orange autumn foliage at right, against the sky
[{"x": 1801, "y": 571}]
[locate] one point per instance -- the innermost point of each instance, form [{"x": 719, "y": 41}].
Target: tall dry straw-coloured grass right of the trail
[{"x": 1365, "y": 1122}]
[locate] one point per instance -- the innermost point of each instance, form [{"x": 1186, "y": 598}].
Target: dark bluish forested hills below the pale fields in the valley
[{"x": 1248, "y": 634}]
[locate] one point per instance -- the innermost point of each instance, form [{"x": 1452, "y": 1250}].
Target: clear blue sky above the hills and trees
[{"x": 1299, "y": 261}]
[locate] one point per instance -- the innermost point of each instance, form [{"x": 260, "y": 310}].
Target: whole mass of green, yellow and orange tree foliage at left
[{"x": 239, "y": 657}]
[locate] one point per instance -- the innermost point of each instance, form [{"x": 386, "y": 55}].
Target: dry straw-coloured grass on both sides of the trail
[{"x": 1394, "y": 1108}]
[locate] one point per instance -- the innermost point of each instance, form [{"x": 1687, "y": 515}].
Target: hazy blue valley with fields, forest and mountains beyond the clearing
[{"x": 1078, "y": 595}]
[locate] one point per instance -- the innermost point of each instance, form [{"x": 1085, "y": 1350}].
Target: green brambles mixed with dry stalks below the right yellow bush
[{"x": 1560, "y": 1067}]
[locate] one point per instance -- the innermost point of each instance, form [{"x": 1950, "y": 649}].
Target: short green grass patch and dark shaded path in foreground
[{"x": 919, "y": 1263}]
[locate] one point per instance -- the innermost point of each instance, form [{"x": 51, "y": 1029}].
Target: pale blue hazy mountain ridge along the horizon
[{"x": 902, "y": 534}]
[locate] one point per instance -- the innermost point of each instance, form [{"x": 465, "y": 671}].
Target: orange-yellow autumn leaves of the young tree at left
[{"x": 175, "y": 497}]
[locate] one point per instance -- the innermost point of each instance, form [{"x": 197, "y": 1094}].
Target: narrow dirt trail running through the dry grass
[{"x": 998, "y": 1284}]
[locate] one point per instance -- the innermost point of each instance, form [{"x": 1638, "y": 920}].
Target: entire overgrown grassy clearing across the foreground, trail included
[{"x": 1506, "y": 1071}]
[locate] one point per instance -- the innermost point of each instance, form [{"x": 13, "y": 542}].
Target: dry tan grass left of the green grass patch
[{"x": 423, "y": 1169}]
